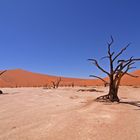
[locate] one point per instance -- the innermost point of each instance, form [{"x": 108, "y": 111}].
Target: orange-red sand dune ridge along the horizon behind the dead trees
[{"x": 22, "y": 78}]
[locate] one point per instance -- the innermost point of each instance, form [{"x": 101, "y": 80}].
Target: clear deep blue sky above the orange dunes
[{"x": 58, "y": 36}]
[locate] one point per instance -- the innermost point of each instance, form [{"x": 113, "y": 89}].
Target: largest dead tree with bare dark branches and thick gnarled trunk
[{"x": 118, "y": 68}]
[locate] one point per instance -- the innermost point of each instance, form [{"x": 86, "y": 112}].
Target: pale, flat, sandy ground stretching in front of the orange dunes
[{"x": 65, "y": 114}]
